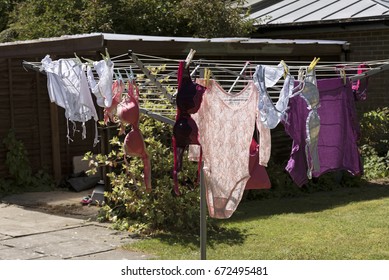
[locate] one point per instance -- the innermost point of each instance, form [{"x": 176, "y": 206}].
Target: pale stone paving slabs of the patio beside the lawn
[{"x": 54, "y": 226}]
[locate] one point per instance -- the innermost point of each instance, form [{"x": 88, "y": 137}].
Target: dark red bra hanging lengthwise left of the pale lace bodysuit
[{"x": 185, "y": 130}]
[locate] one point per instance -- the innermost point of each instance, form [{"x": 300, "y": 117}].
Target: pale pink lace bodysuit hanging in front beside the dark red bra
[{"x": 226, "y": 124}]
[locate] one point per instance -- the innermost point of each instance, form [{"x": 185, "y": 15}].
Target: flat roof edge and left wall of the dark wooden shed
[{"x": 24, "y": 102}]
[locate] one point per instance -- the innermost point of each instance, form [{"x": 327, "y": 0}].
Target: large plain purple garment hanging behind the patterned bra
[{"x": 339, "y": 131}]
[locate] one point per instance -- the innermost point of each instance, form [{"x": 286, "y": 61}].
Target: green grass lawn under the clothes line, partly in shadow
[{"x": 342, "y": 224}]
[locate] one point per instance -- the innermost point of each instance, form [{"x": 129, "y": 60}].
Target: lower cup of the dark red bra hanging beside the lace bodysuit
[{"x": 185, "y": 132}]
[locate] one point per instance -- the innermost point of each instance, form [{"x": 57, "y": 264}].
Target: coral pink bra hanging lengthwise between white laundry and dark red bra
[{"x": 134, "y": 145}]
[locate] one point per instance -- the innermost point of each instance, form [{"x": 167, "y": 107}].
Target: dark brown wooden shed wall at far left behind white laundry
[{"x": 25, "y": 107}]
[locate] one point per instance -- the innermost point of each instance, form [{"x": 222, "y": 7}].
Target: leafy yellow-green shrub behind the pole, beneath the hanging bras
[{"x": 129, "y": 207}]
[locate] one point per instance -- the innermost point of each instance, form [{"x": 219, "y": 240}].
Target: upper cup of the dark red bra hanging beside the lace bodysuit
[{"x": 190, "y": 96}]
